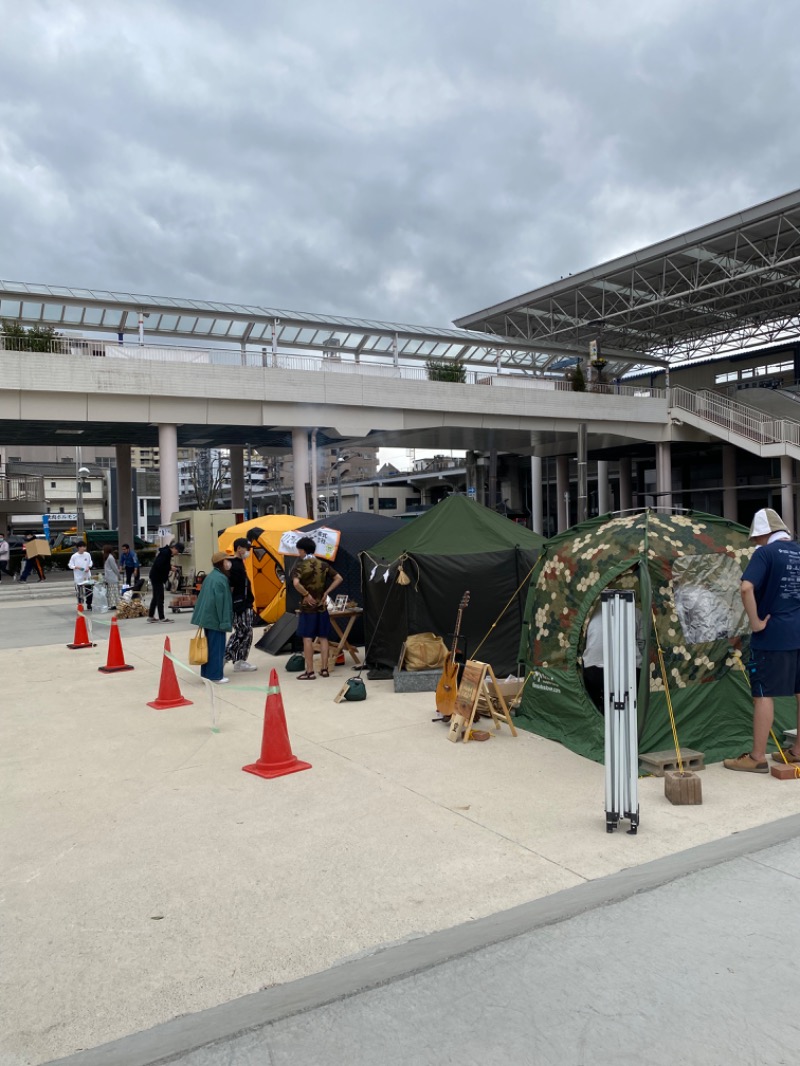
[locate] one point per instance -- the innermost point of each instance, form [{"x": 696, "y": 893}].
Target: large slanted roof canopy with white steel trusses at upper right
[{"x": 726, "y": 287}]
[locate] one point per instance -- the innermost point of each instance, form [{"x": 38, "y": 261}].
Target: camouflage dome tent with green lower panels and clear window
[{"x": 689, "y": 569}]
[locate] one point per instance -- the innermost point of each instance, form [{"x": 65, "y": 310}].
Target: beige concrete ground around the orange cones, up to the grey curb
[{"x": 147, "y": 878}]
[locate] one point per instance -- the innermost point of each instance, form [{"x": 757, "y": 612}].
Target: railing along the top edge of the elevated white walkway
[{"x": 340, "y": 364}]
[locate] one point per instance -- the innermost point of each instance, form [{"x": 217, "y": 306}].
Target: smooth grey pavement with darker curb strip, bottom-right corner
[{"x": 691, "y": 959}]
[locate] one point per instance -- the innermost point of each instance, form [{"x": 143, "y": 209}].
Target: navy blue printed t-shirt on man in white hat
[{"x": 775, "y": 573}]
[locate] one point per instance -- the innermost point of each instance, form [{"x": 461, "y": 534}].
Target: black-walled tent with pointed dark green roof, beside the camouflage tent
[{"x": 459, "y": 546}]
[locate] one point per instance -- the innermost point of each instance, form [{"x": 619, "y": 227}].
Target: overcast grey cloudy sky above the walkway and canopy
[{"x": 410, "y": 163}]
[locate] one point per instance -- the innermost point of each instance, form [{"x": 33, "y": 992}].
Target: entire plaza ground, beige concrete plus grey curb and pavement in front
[{"x": 148, "y": 880}]
